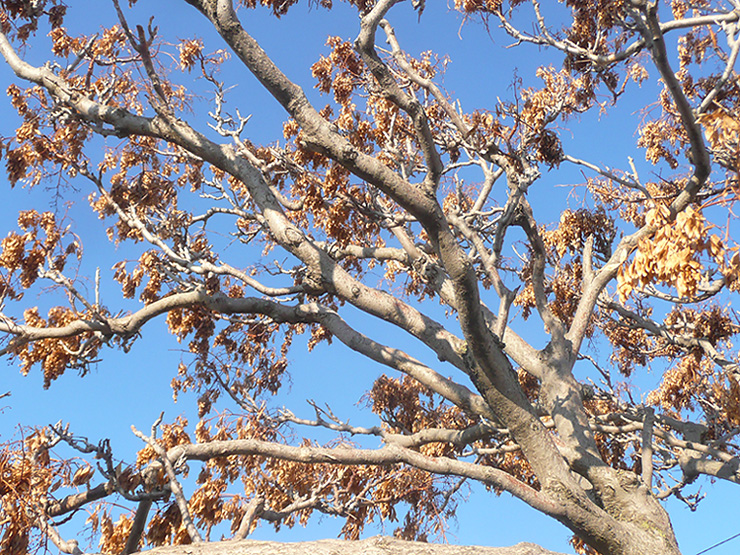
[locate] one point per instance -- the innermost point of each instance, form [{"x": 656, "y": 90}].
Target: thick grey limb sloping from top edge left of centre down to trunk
[{"x": 490, "y": 369}]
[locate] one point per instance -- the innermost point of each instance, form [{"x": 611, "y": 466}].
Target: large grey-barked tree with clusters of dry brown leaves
[{"x": 386, "y": 202}]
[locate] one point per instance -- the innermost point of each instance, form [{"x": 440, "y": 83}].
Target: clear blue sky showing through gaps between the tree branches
[{"x": 133, "y": 388}]
